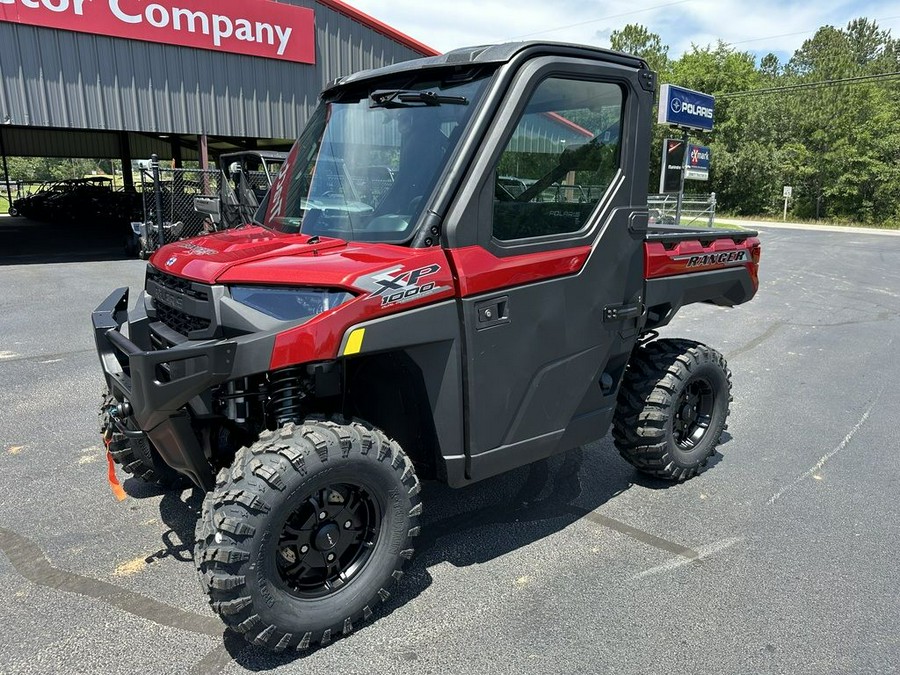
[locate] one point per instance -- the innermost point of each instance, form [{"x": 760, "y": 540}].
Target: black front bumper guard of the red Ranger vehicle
[{"x": 157, "y": 385}]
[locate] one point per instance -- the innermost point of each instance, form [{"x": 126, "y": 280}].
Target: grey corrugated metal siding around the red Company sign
[{"x": 51, "y": 78}]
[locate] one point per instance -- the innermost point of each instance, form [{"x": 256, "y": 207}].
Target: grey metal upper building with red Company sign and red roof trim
[{"x": 101, "y": 81}]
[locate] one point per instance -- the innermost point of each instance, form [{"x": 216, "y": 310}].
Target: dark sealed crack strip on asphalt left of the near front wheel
[{"x": 30, "y": 562}]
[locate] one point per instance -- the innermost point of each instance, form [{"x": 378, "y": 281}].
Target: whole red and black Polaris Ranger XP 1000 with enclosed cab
[{"x": 494, "y": 306}]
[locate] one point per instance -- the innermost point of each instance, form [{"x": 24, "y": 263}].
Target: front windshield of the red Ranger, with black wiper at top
[{"x": 367, "y": 162}]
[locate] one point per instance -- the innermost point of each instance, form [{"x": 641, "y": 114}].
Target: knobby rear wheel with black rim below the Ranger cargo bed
[{"x": 672, "y": 408}]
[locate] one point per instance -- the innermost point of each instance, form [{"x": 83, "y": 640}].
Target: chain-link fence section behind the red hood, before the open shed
[{"x": 168, "y": 196}]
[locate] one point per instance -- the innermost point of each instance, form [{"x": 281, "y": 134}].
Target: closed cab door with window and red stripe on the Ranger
[{"x": 546, "y": 244}]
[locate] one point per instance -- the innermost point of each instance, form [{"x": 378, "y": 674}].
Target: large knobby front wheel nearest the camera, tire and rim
[{"x": 306, "y": 532}]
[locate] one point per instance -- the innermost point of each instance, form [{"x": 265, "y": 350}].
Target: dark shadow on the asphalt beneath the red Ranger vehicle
[{"x": 463, "y": 527}]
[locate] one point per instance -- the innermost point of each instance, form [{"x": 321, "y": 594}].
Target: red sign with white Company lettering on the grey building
[{"x": 263, "y": 28}]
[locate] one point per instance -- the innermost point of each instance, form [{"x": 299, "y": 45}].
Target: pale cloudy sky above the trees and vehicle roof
[{"x": 758, "y": 26}]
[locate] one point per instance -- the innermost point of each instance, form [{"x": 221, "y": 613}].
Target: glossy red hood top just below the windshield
[{"x": 206, "y": 259}]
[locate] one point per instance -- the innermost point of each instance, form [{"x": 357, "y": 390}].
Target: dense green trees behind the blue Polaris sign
[{"x": 837, "y": 144}]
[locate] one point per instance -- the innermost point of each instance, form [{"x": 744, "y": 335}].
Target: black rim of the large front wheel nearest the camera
[{"x": 327, "y": 540}]
